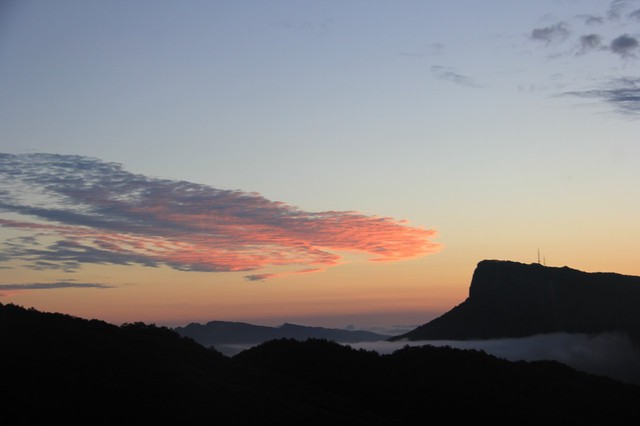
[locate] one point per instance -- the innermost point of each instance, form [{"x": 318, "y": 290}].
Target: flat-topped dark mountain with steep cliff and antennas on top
[{"x": 510, "y": 299}]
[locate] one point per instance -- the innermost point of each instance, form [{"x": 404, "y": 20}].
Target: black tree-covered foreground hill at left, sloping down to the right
[{"x": 59, "y": 368}]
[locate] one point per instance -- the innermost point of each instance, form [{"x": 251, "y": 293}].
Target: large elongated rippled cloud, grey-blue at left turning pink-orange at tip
[{"x": 83, "y": 210}]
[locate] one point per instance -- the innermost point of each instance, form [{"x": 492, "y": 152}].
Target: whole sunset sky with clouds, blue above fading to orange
[{"x": 329, "y": 163}]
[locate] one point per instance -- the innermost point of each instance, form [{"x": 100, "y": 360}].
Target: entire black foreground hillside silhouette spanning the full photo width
[{"x": 58, "y": 368}]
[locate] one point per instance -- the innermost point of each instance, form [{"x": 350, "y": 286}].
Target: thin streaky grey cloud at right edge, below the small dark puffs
[{"x": 622, "y": 93}]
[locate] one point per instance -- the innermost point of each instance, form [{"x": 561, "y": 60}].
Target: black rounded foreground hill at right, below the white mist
[{"x": 442, "y": 385}]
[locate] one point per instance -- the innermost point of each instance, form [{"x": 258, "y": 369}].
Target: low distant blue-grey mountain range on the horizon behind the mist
[{"x": 221, "y": 334}]
